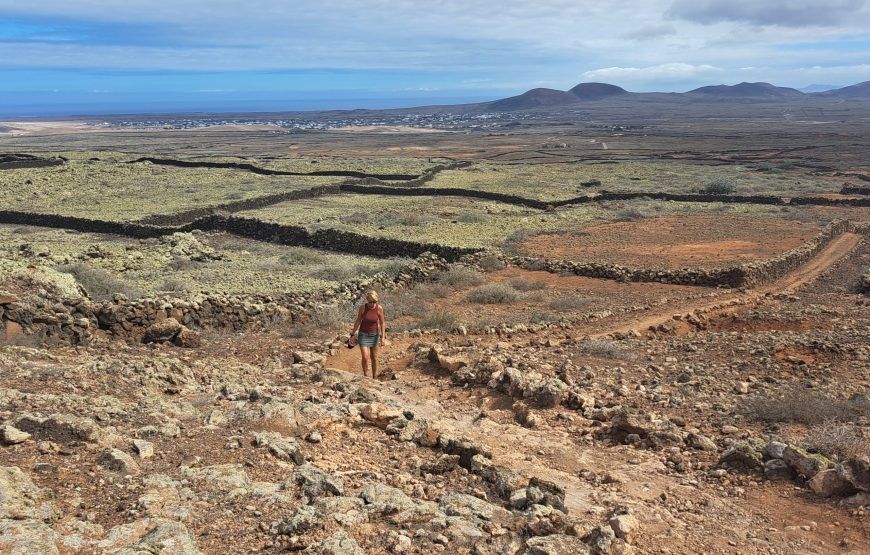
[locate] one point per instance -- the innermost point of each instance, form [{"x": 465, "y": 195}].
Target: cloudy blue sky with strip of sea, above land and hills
[{"x": 92, "y": 56}]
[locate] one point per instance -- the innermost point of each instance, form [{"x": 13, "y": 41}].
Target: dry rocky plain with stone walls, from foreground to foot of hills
[{"x": 601, "y": 338}]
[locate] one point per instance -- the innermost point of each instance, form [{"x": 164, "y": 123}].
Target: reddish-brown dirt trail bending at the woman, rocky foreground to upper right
[{"x": 554, "y": 445}]
